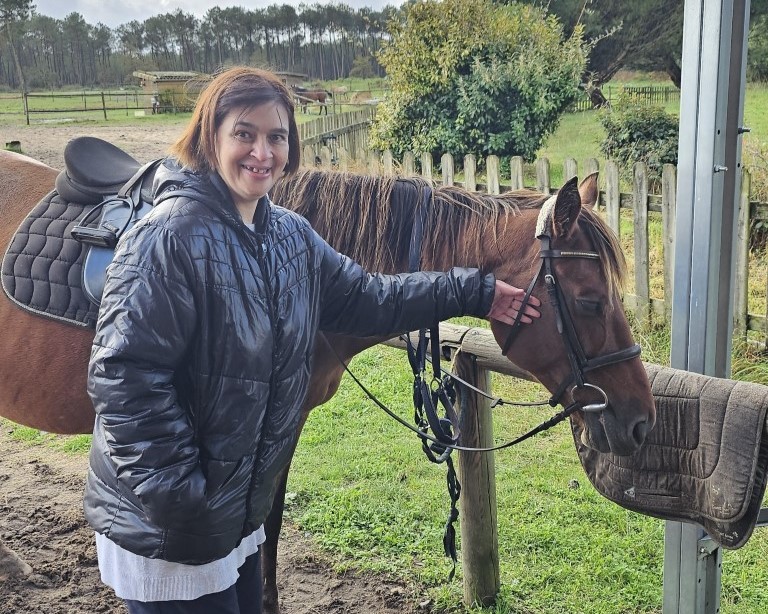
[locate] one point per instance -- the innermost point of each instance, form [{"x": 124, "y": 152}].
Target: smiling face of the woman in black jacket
[{"x": 251, "y": 152}]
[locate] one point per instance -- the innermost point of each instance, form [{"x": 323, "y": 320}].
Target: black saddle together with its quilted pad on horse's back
[{"x": 55, "y": 264}]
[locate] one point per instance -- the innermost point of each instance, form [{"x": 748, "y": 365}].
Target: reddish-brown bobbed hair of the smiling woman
[{"x": 238, "y": 87}]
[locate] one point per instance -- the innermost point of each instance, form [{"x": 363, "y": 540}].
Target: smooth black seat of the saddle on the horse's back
[{"x": 93, "y": 169}]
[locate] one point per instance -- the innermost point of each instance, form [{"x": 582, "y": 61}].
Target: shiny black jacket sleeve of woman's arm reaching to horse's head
[{"x": 355, "y": 302}]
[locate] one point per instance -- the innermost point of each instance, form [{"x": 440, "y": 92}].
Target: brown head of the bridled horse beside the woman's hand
[{"x": 581, "y": 349}]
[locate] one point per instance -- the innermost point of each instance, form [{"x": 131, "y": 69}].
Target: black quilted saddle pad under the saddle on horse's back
[{"x": 42, "y": 267}]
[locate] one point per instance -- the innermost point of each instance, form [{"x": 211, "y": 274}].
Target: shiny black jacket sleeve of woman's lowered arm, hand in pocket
[{"x": 146, "y": 321}]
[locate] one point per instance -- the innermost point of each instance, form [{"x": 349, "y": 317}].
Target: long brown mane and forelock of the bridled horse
[{"x": 370, "y": 218}]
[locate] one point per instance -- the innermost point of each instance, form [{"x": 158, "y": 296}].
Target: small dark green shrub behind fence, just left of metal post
[{"x": 639, "y": 133}]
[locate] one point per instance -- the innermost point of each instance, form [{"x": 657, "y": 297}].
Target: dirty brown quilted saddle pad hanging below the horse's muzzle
[{"x": 705, "y": 461}]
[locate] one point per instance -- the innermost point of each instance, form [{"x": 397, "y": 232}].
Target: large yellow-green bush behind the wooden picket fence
[{"x": 473, "y": 77}]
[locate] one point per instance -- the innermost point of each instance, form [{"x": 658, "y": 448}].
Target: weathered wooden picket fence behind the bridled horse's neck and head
[{"x": 640, "y": 201}]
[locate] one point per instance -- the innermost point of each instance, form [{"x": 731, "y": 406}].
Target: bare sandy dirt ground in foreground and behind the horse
[{"x": 41, "y": 489}]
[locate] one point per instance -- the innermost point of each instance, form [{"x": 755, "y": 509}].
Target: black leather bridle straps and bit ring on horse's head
[{"x": 577, "y": 357}]
